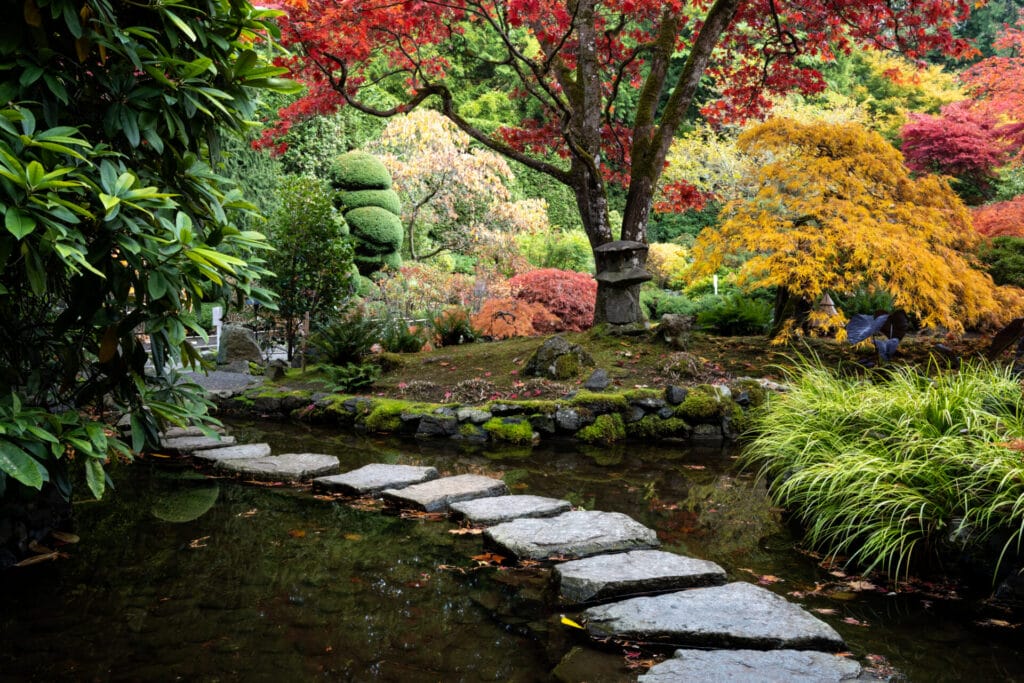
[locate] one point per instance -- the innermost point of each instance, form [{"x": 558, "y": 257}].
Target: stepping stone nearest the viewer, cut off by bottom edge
[{"x": 754, "y": 667}]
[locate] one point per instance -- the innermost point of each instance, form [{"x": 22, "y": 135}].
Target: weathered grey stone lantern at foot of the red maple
[{"x": 621, "y": 272}]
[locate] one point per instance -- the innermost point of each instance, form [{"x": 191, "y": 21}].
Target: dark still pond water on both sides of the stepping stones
[{"x": 182, "y": 577}]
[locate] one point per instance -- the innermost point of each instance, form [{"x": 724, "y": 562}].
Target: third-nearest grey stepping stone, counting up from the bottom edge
[{"x": 607, "y": 577}]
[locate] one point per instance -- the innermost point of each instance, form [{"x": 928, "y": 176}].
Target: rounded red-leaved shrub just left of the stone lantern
[{"x": 570, "y": 295}]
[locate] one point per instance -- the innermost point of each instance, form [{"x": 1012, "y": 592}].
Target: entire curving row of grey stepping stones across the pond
[{"x": 606, "y": 564}]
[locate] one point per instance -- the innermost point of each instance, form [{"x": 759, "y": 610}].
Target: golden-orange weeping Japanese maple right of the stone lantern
[{"x": 836, "y": 211}]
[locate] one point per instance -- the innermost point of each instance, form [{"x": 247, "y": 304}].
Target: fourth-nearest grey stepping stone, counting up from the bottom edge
[{"x": 577, "y": 534}]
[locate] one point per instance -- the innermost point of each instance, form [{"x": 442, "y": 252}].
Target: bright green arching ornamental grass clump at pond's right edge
[{"x": 899, "y": 473}]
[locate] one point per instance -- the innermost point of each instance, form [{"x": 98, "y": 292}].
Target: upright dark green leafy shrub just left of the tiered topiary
[{"x": 313, "y": 262}]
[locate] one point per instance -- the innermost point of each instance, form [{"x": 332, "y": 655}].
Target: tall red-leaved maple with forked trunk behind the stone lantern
[{"x": 609, "y": 81}]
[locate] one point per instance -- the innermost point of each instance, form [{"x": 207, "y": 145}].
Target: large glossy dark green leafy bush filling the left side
[{"x": 115, "y": 221}]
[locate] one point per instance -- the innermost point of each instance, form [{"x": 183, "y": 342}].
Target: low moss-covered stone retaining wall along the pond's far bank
[{"x": 703, "y": 413}]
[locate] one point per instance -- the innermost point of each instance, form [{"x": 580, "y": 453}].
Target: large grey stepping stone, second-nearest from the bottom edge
[{"x": 735, "y": 616}]
